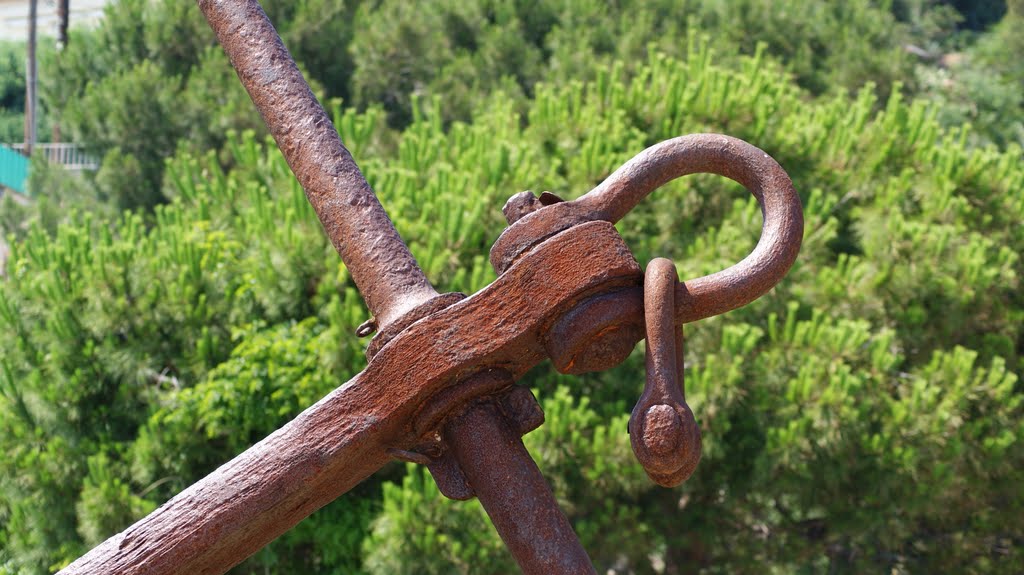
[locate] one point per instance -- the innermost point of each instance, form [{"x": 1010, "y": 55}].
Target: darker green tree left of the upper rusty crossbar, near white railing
[{"x": 131, "y": 95}]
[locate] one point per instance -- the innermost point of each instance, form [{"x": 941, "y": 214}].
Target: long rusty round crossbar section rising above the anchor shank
[{"x": 382, "y": 267}]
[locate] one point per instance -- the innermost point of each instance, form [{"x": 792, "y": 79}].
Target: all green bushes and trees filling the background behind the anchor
[{"x": 162, "y": 315}]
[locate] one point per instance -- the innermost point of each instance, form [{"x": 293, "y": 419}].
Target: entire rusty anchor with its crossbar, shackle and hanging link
[{"x": 440, "y": 388}]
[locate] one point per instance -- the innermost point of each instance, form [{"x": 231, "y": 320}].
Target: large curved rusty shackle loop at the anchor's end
[{"x": 738, "y": 286}]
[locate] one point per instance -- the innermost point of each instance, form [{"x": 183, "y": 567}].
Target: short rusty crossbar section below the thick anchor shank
[{"x": 515, "y": 494}]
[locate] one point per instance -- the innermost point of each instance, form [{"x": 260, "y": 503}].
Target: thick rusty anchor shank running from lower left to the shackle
[{"x": 346, "y": 437}]
